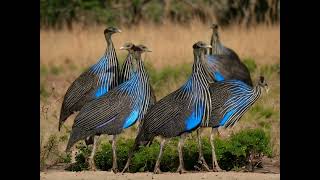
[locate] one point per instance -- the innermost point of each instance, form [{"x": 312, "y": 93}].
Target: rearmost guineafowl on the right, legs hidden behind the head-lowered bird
[{"x": 224, "y": 62}]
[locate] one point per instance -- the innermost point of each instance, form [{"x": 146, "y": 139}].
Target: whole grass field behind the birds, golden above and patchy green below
[{"x": 65, "y": 54}]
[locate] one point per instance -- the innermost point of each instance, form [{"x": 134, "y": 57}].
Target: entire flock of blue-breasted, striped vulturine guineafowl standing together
[{"x": 217, "y": 94}]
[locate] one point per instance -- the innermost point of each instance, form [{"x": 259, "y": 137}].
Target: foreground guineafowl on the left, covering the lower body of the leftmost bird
[{"x": 116, "y": 110}]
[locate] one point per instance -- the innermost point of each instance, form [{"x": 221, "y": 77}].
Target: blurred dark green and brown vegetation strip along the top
[{"x": 55, "y": 13}]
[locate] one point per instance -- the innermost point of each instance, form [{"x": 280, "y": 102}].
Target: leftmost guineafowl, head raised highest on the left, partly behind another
[{"x": 91, "y": 84}]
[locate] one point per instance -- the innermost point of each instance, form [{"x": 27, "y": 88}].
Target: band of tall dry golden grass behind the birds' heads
[{"x": 171, "y": 43}]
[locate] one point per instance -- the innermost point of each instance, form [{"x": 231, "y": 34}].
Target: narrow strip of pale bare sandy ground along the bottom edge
[{"x": 104, "y": 175}]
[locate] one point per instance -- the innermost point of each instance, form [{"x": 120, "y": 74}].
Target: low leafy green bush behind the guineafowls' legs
[{"x": 232, "y": 153}]
